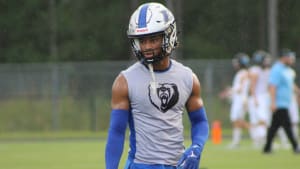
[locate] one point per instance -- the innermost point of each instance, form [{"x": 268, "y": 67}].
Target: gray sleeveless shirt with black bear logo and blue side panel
[{"x": 156, "y": 115}]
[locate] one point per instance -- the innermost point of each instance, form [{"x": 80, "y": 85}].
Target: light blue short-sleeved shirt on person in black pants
[{"x": 281, "y": 77}]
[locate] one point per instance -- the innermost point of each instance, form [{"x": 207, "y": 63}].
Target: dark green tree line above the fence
[{"x": 76, "y": 30}]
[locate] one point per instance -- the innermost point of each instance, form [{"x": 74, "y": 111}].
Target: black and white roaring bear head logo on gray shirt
[{"x": 165, "y": 96}]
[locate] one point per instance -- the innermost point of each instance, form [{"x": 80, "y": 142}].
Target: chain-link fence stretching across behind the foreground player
[{"x": 76, "y": 96}]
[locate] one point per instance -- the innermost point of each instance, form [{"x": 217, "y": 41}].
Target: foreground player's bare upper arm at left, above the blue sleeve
[{"x": 119, "y": 98}]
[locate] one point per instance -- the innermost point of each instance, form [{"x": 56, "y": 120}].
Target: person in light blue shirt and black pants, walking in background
[{"x": 281, "y": 86}]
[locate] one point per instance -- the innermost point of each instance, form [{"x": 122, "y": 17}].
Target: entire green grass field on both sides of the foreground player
[{"x": 74, "y": 152}]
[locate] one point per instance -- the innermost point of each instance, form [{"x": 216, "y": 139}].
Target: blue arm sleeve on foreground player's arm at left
[{"x": 116, "y": 138}]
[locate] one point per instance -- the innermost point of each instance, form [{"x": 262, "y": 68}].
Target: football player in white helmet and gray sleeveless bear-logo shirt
[{"x": 151, "y": 95}]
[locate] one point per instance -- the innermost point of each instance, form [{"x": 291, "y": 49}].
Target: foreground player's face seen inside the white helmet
[{"x": 151, "y": 45}]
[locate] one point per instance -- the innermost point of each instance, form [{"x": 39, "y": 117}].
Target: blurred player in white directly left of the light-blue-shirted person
[{"x": 259, "y": 107}]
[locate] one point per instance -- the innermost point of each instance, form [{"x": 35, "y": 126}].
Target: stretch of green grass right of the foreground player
[{"x": 220, "y": 157}]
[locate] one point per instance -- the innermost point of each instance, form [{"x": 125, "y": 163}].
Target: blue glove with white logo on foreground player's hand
[{"x": 190, "y": 158}]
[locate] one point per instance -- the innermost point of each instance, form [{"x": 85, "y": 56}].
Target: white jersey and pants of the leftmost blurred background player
[{"x": 240, "y": 90}]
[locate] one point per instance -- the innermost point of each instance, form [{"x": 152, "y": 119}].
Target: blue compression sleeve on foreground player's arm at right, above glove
[{"x": 199, "y": 127}]
